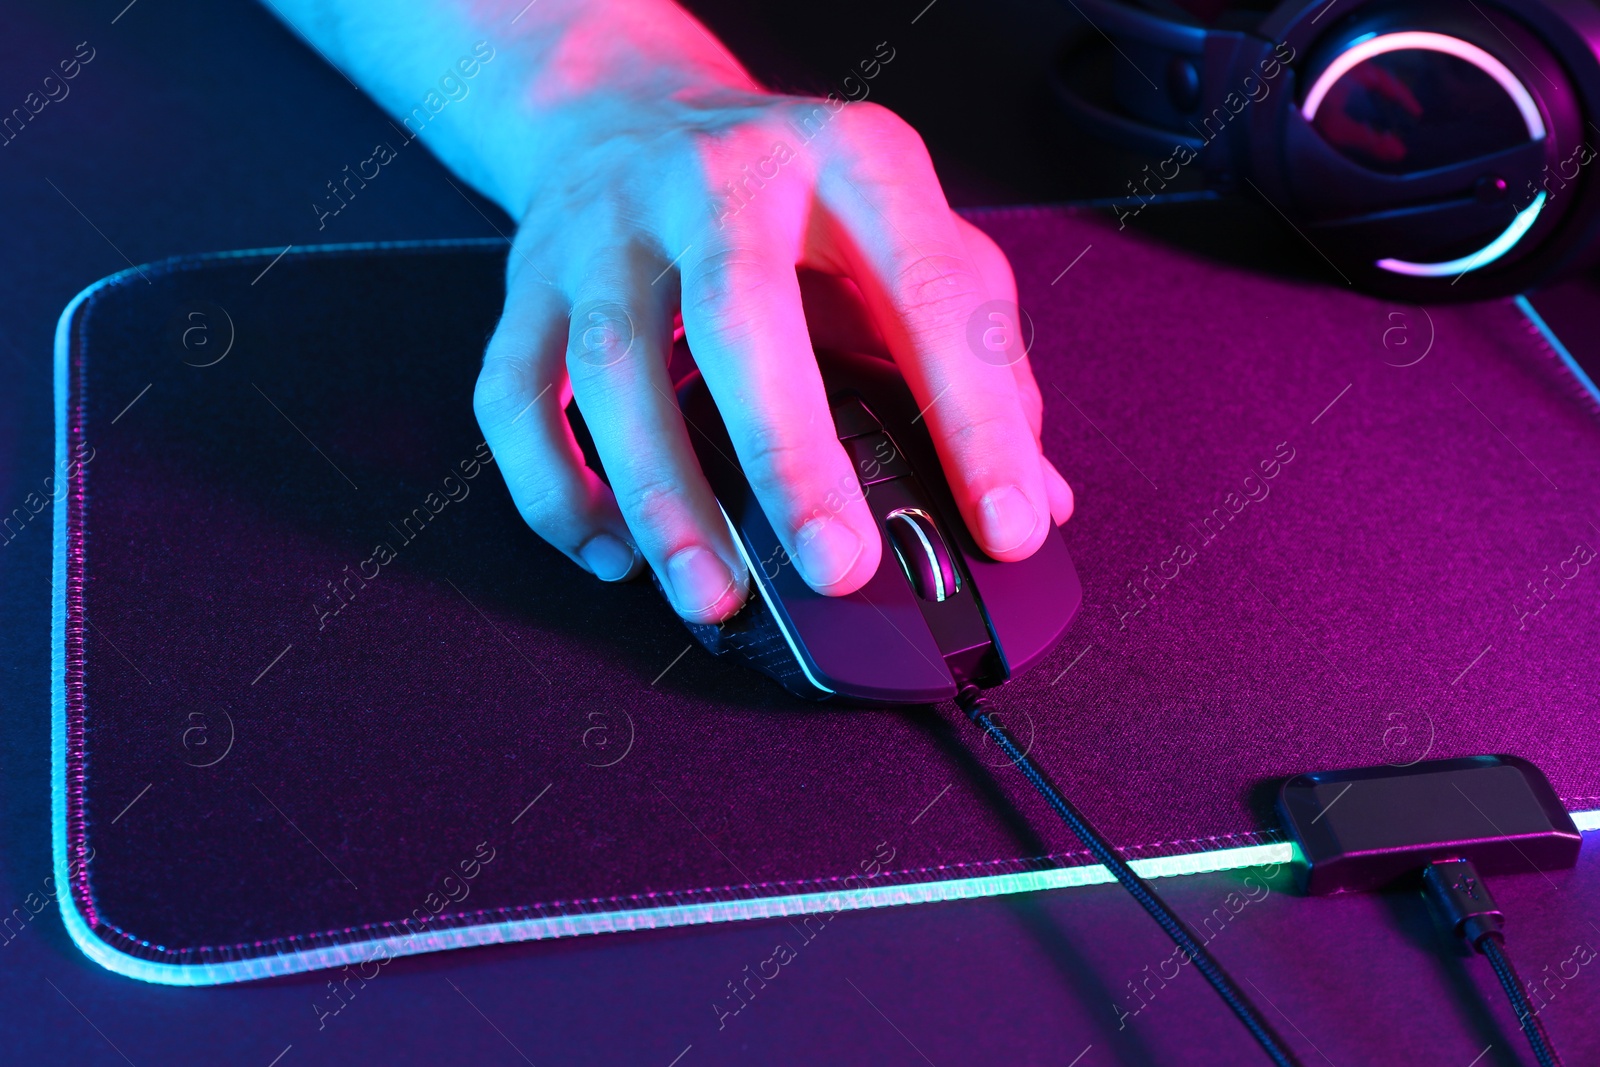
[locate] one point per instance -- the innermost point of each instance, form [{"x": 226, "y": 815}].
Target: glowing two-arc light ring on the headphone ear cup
[{"x": 1417, "y": 41}]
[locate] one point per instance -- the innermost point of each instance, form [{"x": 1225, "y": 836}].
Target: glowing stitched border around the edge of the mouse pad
[{"x": 578, "y": 917}]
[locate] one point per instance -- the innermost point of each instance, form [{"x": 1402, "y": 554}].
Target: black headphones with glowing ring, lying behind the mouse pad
[{"x": 1428, "y": 150}]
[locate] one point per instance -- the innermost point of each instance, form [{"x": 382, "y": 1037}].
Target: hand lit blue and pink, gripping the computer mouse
[{"x": 769, "y": 225}]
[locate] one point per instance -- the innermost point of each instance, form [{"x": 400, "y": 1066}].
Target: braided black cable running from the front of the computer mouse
[{"x": 972, "y": 701}]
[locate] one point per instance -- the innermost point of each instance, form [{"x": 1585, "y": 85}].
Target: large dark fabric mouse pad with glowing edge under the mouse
[{"x": 322, "y": 698}]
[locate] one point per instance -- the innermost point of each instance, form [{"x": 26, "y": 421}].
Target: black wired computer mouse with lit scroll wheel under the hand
[{"x": 938, "y": 613}]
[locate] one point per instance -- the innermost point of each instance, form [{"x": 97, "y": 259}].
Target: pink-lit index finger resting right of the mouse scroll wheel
[{"x": 950, "y": 338}]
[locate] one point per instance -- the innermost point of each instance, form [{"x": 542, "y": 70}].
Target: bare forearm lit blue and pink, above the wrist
[{"x": 500, "y": 90}]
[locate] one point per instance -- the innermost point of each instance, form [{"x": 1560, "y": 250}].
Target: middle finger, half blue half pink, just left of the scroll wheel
[{"x": 746, "y": 326}]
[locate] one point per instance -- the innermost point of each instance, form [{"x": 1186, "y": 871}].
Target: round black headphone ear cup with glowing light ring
[{"x": 1457, "y": 215}]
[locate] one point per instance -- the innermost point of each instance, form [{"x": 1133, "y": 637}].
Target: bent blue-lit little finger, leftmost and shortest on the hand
[{"x": 521, "y": 406}]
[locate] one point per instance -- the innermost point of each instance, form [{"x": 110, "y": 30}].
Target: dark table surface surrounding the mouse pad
[{"x": 209, "y": 127}]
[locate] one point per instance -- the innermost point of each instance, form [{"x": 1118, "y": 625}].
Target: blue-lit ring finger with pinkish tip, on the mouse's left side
[{"x": 617, "y": 358}]
